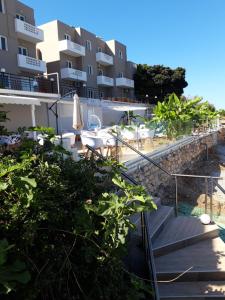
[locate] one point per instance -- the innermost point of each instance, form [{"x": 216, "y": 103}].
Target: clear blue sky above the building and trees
[{"x": 174, "y": 33}]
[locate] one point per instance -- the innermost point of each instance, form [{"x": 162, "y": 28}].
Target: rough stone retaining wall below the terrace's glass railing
[{"x": 177, "y": 158}]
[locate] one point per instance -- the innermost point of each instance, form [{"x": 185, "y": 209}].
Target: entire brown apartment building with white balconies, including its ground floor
[{"x": 39, "y": 65}]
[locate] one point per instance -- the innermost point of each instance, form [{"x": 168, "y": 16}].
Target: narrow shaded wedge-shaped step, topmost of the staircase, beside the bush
[{"x": 157, "y": 220}]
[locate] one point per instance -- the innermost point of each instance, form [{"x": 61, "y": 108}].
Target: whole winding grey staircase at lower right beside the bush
[{"x": 183, "y": 243}]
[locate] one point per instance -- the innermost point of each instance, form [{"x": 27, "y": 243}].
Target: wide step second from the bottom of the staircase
[{"x": 205, "y": 258}]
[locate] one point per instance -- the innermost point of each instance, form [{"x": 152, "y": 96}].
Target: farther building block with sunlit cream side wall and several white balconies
[{"x": 84, "y": 61}]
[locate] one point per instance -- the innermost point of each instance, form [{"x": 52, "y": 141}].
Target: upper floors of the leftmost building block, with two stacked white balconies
[{"x": 18, "y": 39}]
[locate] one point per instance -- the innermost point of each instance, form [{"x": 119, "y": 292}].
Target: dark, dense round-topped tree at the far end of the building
[{"x": 158, "y": 82}]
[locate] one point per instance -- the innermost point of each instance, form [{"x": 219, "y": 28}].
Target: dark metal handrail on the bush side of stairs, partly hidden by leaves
[{"x": 145, "y": 234}]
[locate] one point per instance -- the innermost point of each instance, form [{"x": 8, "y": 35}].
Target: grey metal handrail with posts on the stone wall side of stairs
[{"x": 211, "y": 178}]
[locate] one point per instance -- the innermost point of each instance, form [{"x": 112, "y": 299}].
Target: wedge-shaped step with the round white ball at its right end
[{"x": 181, "y": 232}]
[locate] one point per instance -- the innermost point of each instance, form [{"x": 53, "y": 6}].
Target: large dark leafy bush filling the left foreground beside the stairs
[{"x": 69, "y": 222}]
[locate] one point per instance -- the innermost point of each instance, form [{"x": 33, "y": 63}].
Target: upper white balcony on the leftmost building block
[{"x": 28, "y": 32}]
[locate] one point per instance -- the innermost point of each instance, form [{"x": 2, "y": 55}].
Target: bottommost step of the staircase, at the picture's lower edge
[{"x": 192, "y": 290}]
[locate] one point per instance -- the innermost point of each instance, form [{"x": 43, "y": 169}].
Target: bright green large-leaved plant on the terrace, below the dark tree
[{"x": 180, "y": 117}]
